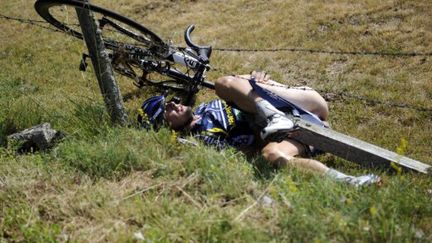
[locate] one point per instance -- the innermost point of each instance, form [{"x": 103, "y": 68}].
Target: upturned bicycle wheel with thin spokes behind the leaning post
[{"x": 117, "y": 30}]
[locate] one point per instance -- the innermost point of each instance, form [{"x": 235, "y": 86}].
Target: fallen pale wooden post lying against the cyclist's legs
[{"x": 353, "y": 149}]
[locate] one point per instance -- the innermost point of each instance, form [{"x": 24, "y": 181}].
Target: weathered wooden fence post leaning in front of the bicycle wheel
[{"x": 102, "y": 66}]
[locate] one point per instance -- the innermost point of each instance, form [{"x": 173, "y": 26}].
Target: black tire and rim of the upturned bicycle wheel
[{"x": 44, "y": 7}]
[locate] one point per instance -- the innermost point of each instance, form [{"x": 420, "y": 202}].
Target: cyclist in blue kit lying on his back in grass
[{"x": 243, "y": 119}]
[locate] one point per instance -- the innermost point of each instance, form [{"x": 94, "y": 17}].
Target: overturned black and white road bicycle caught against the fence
[{"x": 134, "y": 48}]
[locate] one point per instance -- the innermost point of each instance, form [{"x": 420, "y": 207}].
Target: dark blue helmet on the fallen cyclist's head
[{"x": 151, "y": 113}]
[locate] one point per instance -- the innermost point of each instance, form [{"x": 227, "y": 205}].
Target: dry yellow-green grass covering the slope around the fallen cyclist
[{"x": 106, "y": 183}]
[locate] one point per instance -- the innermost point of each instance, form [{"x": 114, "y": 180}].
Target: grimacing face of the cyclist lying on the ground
[{"x": 177, "y": 115}]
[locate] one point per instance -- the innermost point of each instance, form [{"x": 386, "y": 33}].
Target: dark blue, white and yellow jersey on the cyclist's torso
[{"x": 221, "y": 125}]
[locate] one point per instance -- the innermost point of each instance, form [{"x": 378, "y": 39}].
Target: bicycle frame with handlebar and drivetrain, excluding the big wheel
[{"x": 149, "y": 61}]
